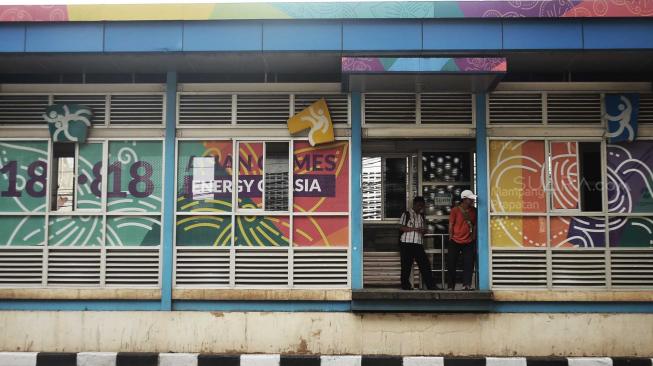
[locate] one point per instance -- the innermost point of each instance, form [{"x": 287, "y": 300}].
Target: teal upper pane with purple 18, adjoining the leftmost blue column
[{"x": 135, "y": 173}]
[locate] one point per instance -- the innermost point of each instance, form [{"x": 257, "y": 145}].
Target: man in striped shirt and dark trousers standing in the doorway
[{"x": 411, "y": 246}]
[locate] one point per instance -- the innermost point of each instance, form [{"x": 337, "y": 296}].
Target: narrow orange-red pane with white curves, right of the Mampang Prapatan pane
[{"x": 564, "y": 175}]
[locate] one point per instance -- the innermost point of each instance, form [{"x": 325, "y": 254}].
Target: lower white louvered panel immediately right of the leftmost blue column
[{"x": 202, "y": 267}]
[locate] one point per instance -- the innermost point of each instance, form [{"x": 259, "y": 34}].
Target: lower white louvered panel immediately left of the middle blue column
[{"x": 320, "y": 268}]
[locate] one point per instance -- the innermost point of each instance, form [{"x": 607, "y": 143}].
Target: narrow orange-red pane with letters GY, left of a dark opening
[{"x": 250, "y": 175}]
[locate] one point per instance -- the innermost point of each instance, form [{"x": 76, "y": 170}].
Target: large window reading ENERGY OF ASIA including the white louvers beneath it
[{"x": 289, "y": 228}]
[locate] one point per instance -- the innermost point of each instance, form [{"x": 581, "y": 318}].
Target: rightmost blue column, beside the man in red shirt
[{"x": 483, "y": 194}]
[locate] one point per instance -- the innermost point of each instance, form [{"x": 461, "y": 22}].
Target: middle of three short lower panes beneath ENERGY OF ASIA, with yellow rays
[{"x": 262, "y": 231}]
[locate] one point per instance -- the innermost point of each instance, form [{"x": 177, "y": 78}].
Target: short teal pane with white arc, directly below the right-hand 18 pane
[{"x": 133, "y": 231}]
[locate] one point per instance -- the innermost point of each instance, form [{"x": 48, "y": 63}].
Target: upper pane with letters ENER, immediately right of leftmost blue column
[{"x": 217, "y": 175}]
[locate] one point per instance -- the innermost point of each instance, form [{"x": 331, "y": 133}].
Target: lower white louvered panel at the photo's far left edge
[{"x": 20, "y": 266}]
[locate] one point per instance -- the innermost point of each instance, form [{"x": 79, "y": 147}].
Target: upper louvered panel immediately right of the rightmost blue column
[{"x": 508, "y": 108}]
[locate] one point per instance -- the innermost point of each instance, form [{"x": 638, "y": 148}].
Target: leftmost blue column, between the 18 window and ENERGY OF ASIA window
[{"x": 169, "y": 193}]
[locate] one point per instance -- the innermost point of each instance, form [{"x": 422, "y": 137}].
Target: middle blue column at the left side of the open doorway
[{"x": 356, "y": 193}]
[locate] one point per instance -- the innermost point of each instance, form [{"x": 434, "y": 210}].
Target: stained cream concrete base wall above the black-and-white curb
[{"x": 496, "y": 334}]
